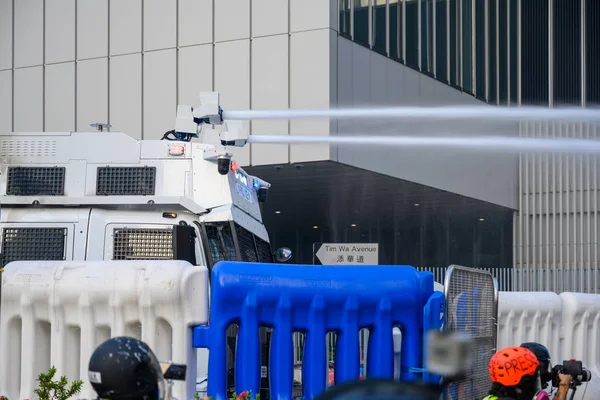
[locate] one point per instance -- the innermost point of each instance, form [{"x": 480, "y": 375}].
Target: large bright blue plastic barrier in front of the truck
[{"x": 314, "y": 300}]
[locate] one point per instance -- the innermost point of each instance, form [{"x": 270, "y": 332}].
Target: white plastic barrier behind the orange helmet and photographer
[{"x": 567, "y": 324}]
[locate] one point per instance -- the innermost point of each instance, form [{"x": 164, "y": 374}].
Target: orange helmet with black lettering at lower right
[{"x": 510, "y": 364}]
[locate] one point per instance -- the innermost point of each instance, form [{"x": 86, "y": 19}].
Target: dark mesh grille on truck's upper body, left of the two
[{"x": 36, "y": 181}]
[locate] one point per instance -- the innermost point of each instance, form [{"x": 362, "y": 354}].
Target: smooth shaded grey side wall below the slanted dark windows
[{"x": 366, "y": 78}]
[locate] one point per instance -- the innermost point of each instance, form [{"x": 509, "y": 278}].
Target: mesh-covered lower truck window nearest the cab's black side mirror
[{"x": 142, "y": 244}]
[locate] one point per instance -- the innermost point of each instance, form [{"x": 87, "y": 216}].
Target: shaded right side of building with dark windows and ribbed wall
[{"x": 530, "y": 218}]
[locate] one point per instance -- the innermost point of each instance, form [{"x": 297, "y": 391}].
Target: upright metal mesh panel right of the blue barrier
[{"x": 472, "y": 308}]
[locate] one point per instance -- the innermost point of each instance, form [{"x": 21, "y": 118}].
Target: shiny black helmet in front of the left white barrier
[{"x": 125, "y": 368}]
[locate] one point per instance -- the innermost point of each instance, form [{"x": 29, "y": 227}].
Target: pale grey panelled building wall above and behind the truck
[{"x": 129, "y": 63}]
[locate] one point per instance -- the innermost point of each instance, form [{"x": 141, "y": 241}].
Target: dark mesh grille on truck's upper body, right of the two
[{"x": 126, "y": 181}]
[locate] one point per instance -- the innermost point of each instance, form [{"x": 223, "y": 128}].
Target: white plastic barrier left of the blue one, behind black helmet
[{"x": 57, "y": 313}]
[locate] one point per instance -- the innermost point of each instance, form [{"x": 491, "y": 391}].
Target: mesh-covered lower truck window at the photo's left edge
[{"x": 33, "y": 244}]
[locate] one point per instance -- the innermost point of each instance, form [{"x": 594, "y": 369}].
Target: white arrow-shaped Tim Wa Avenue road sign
[{"x": 346, "y": 253}]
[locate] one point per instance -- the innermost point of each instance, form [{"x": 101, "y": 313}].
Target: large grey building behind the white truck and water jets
[{"x": 67, "y": 64}]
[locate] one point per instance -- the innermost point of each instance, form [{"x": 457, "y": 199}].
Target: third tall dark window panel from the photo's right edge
[{"x": 534, "y": 52}]
